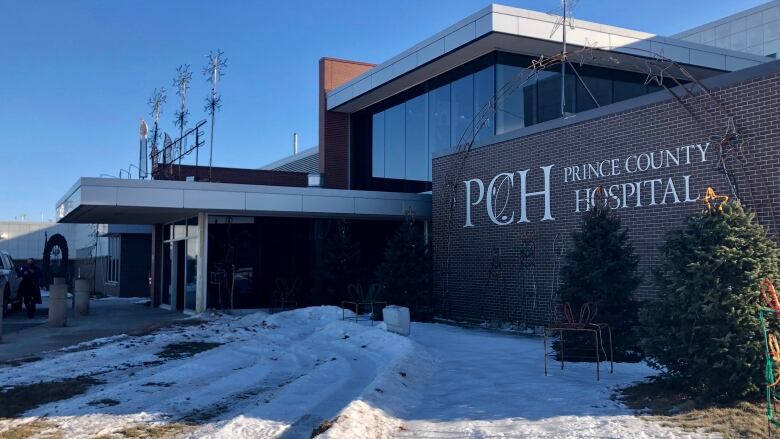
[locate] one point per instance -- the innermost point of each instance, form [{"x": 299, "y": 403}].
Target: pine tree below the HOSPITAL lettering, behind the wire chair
[{"x": 601, "y": 269}]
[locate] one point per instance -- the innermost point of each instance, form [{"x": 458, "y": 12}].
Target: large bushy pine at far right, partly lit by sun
[{"x": 703, "y": 329}]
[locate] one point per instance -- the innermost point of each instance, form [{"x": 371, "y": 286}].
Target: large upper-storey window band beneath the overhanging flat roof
[{"x": 437, "y": 116}]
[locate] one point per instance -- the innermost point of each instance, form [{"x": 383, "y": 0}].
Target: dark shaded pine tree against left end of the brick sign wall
[{"x": 405, "y": 272}]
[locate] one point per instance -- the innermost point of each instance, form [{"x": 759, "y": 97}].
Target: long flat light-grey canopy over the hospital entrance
[{"x": 124, "y": 201}]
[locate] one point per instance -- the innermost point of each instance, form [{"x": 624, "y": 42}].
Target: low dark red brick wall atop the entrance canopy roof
[{"x": 237, "y": 176}]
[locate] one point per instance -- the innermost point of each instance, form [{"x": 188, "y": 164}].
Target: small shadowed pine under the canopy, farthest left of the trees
[{"x": 342, "y": 264}]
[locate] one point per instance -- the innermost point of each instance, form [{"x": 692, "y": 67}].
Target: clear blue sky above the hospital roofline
[{"x": 75, "y": 76}]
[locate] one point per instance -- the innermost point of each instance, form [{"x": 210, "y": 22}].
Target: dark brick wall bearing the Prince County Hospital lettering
[{"x": 508, "y": 293}]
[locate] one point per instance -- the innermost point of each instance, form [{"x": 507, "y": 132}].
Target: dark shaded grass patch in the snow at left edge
[{"x": 14, "y": 401}]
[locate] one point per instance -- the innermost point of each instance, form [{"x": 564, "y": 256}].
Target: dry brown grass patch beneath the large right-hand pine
[{"x": 673, "y": 408}]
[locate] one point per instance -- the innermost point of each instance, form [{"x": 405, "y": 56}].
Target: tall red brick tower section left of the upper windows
[{"x": 334, "y": 126}]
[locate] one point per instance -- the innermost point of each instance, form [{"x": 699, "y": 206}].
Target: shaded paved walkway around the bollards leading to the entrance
[{"x": 23, "y": 337}]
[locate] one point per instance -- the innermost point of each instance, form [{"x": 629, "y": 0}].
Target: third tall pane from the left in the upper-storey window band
[{"x": 416, "y": 138}]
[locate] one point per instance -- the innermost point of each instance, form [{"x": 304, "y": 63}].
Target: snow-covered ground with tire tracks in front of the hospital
[{"x": 282, "y": 375}]
